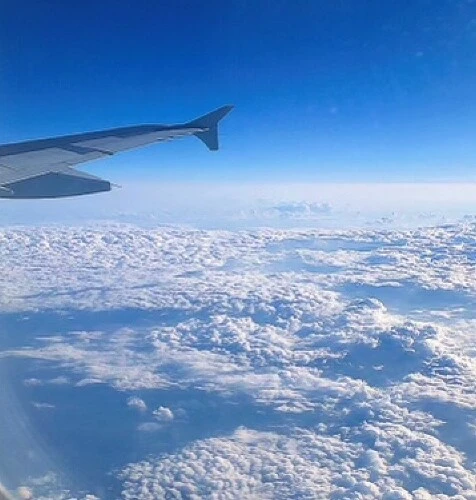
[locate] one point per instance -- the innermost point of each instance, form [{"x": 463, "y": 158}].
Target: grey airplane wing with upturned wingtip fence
[{"x": 44, "y": 168}]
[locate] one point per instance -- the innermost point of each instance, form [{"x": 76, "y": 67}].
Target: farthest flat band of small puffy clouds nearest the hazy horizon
[{"x": 124, "y": 256}]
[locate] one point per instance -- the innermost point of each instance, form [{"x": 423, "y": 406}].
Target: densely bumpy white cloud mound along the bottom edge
[{"x": 302, "y": 464}]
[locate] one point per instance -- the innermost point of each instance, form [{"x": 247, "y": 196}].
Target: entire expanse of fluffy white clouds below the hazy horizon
[{"x": 357, "y": 345}]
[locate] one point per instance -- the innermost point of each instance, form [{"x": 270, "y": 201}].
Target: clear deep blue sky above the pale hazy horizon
[{"x": 324, "y": 90}]
